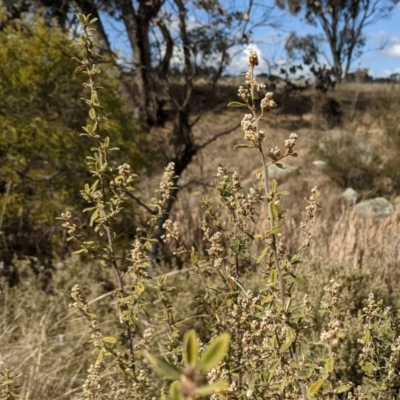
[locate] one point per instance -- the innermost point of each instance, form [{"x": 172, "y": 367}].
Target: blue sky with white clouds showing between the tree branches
[{"x": 270, "y": 43}]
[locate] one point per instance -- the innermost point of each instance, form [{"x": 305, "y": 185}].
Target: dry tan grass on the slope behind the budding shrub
[{"x": 340, "y": 234}]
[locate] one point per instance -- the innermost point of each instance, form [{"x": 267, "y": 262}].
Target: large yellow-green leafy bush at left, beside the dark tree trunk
[{"x": 42, "y": 163}]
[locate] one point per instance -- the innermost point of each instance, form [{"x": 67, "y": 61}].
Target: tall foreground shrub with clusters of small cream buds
[{"x": 253, "y": 341}]
